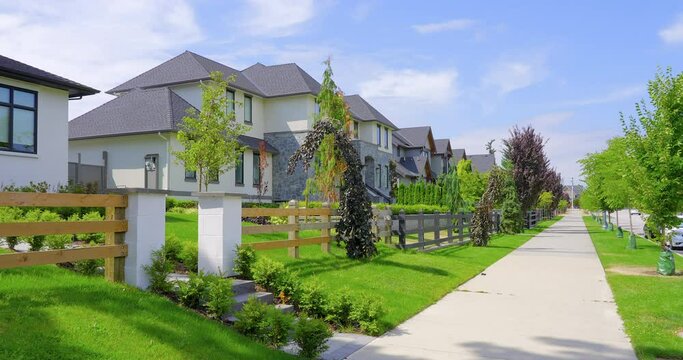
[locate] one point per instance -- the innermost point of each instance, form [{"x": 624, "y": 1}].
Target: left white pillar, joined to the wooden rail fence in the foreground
[{"x": 146, "y": 215}]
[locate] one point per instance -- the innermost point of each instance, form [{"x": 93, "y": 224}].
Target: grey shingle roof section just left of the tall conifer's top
[{"x": 281, "y": 80}]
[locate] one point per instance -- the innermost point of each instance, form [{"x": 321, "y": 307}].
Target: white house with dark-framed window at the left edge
[{"x": 34, "y": 113}]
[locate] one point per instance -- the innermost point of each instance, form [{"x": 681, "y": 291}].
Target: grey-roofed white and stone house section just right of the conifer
[{"x": 372, "y": 135}]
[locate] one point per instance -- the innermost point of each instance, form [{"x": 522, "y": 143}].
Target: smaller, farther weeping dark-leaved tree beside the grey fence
[{"x": 482, "y": 222}]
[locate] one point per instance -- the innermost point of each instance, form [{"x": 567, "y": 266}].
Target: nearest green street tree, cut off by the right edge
[{"x": 654, "y": 138}]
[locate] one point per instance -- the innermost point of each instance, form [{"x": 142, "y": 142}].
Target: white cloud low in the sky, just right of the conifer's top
[{"x": 427, "y": 87}]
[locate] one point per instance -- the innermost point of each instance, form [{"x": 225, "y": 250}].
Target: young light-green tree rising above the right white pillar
[{"x": 209, "y": 138}]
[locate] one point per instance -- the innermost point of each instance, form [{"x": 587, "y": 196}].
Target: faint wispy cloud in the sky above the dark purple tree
[{"x": 509, "y": 76}]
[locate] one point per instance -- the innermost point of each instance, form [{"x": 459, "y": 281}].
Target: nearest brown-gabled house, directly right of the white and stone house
[{"x": 413, "y": 150}]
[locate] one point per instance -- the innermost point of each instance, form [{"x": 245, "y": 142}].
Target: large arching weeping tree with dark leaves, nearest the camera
[{"x": 354, "y": 228}]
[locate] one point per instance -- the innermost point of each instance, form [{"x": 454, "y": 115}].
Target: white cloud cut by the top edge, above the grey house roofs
[{"x": 277, "y": 18}]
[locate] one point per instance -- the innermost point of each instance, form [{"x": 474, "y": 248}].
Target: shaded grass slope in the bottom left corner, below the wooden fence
[{"x": 51, "y": 313}]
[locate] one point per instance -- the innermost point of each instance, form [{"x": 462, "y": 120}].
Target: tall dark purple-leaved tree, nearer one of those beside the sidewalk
[{"x": 525, "y": 151}]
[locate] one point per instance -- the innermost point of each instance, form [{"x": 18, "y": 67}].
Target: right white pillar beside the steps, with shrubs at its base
[{"x": 220, "y": 231}]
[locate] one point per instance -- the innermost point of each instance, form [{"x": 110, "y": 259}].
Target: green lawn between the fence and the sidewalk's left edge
[{"x": 406, "y": 281}]
